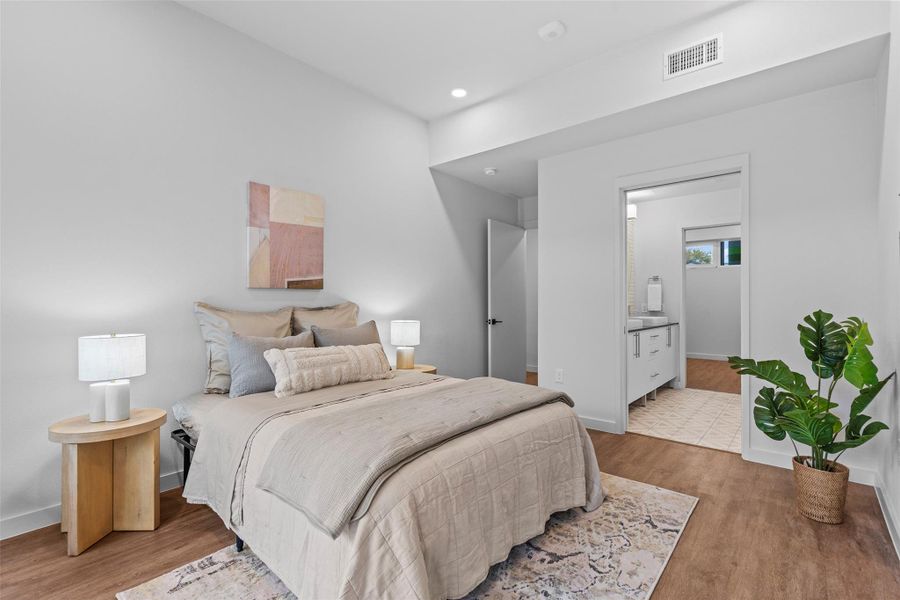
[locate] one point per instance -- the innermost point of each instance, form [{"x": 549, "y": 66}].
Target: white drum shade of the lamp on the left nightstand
[{"x": 116, "y": 356}]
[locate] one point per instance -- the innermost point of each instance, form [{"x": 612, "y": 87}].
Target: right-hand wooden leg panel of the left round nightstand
[{"x": 136, "y": 482}]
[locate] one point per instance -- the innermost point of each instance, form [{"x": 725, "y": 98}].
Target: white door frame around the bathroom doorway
[{"x": 738, "y": 163}]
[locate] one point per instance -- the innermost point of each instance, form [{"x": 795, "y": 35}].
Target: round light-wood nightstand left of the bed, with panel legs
[{"x": 110, "y": 475}]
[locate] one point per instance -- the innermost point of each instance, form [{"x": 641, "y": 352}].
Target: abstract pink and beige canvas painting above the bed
[{"x": 285, "y": 238}]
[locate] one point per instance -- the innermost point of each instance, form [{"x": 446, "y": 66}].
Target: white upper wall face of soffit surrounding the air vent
[{"x": 757, "y": 36}]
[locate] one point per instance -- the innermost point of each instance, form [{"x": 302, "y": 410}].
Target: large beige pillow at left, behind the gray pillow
[{"x": 218, "y": 324}]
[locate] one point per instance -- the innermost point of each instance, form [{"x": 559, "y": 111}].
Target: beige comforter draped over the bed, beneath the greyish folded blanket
[{"x": 433, "y": 528}]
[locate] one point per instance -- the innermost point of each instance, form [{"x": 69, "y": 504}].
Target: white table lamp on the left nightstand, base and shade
[{"x": 110, "y": 360}]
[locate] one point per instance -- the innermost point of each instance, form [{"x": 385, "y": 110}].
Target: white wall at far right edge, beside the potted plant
[{"x": 886, "y": 326}]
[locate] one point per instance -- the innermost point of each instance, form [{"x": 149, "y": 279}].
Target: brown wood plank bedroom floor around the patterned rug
[{"x": 745, "y": 539}]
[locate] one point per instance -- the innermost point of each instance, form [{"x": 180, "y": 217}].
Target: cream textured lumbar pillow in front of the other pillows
[{"x": 299, "y": 370}]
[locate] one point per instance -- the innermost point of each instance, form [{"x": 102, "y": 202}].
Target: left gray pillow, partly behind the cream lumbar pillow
[{"x": 250, "y": 373}]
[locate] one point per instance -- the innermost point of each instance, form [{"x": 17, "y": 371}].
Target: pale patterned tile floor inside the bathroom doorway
[{"x": 699, "y": 417}]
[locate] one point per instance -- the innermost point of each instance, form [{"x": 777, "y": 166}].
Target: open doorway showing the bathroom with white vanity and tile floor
[{"x": 683, "y": 287}]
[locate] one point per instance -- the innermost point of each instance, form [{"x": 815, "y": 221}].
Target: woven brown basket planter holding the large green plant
[{"x": 821, "y": 494}]
